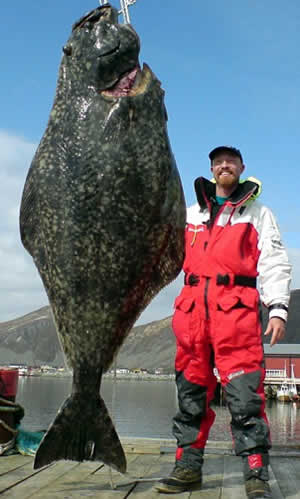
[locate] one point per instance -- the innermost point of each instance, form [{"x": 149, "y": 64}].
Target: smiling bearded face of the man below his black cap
[{"x": 226, "y": 169}]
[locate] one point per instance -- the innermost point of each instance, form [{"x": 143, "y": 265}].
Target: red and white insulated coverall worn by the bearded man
[{"x": 217, "y": 320}]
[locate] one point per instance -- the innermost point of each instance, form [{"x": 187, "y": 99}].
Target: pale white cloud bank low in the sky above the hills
[{"x": 21, "y": 289}]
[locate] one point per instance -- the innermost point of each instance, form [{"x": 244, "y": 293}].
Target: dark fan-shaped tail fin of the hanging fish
[{"x": 82, "y": 431}]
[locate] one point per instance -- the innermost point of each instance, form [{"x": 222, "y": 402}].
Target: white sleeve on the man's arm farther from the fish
[{"x": 273, "y": 267}]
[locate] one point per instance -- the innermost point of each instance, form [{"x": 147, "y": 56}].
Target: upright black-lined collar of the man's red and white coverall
[{"x": 247, "y": 190}]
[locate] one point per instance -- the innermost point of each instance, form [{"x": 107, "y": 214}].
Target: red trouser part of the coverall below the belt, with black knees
[{"x": 224, "y": 333}]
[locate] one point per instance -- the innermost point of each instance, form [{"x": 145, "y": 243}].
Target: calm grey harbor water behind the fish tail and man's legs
[{"x": 142, "y": 408}]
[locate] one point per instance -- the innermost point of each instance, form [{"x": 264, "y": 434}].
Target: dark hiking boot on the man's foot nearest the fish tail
[{"x": 180, "y": 480}]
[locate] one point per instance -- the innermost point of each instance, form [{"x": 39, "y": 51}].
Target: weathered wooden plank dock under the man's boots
[{"x": 148, "y": 460}]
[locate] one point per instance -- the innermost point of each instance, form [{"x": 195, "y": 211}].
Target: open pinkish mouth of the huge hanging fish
[{"x": 133, "y": 82}]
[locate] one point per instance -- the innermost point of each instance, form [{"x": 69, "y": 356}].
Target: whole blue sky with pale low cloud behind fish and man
[{"x": 231, "y": 73}]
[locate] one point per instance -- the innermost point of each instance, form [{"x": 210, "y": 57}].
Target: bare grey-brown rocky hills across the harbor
[{"x": 32, "y": 340}]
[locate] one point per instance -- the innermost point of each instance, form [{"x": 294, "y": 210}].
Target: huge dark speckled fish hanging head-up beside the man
[{"x": 103, "y": 216}]
